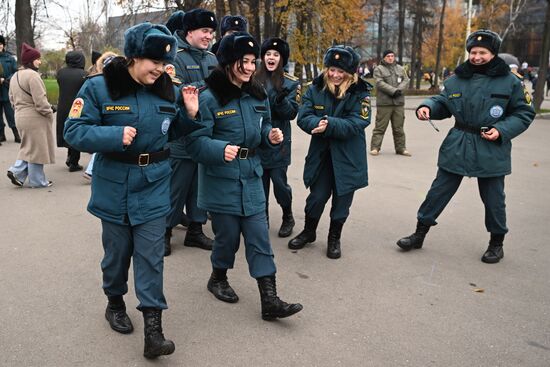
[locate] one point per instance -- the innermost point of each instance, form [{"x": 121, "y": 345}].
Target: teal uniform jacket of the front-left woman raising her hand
[{"x": 123, "y": 192}]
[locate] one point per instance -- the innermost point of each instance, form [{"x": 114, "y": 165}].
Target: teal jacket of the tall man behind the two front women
[{"x": 192, "y": 66}]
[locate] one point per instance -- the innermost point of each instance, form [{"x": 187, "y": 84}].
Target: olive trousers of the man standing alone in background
[{"x": 383, "y": 116}]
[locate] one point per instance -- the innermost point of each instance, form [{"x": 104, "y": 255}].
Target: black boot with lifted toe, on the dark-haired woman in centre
[{"x": 272, "y": 306}]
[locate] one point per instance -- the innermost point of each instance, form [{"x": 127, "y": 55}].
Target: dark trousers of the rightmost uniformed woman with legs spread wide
[{"x": 445, "y": 185}]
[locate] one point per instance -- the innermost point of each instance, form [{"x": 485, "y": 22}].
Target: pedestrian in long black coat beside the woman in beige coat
[{"x": 69, "y": 78}]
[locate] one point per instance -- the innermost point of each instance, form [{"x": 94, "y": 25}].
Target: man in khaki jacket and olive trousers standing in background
[{"x": 391, "y": 82}]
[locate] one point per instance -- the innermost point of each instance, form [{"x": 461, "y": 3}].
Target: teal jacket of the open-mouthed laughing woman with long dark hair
[{"x": 281, "y": 114}]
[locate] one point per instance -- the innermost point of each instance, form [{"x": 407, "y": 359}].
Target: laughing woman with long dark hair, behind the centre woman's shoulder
[{"x": 283, "y": 93}]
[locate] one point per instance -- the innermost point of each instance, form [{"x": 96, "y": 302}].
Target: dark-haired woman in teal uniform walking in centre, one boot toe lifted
[{"x": 235, "y": 116}]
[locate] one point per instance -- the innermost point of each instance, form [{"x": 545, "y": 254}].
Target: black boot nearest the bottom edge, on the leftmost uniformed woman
[{"x": 155, "y": 344}]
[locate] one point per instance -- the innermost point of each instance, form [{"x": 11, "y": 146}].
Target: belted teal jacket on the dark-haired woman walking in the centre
[{"x": 230, "y": 116}]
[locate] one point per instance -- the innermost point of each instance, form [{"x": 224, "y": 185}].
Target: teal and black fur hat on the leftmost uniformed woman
[{"x": 151, "y": 41}]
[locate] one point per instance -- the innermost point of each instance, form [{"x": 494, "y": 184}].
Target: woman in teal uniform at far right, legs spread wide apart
[{"x": 490, "y": 107}]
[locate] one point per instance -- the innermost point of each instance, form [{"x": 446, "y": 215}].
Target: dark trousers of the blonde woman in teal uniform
[{"x": 322, "y": 189}]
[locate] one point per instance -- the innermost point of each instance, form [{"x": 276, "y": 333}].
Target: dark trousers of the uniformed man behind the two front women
[{"x": 184, "y": 188}]
